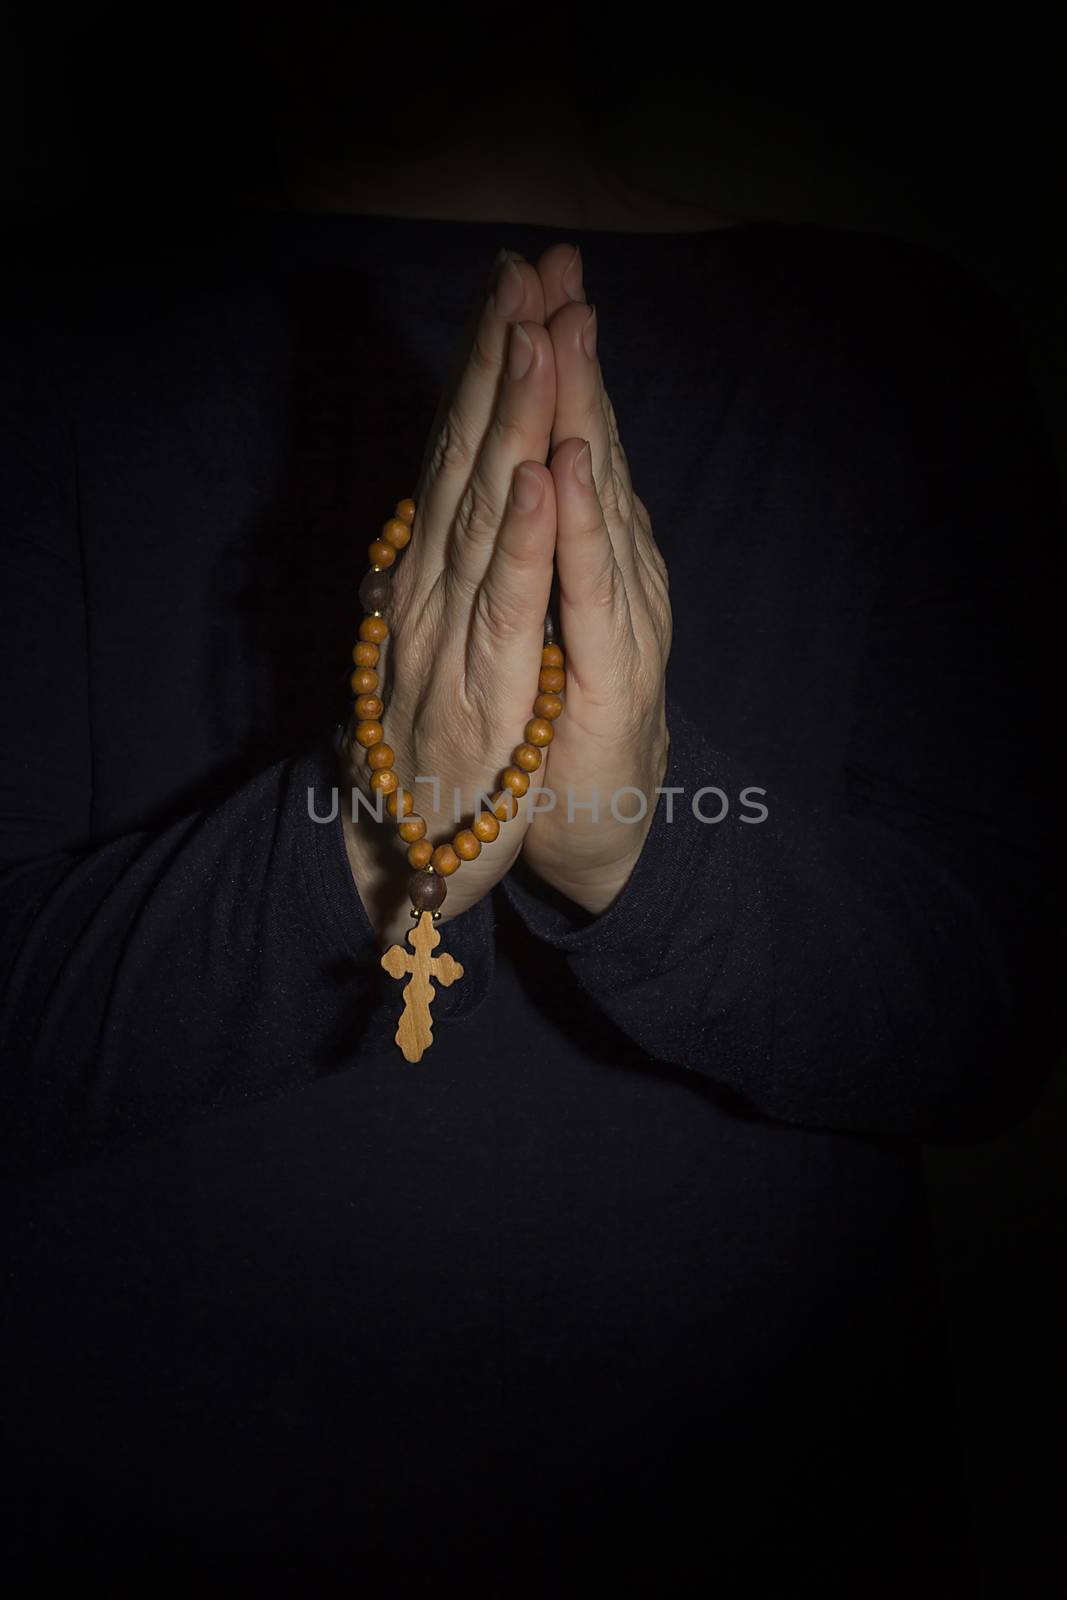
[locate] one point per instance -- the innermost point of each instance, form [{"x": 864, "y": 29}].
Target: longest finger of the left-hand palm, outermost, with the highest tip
[{"x": 514, "y": 294}]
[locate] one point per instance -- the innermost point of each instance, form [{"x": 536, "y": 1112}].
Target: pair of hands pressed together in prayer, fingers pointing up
[{"x": 471, "y": 596}]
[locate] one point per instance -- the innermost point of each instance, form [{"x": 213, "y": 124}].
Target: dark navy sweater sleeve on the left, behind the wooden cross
[{"x": 151, "y": 980}]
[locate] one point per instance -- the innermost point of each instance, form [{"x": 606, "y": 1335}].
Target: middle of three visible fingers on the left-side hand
[{"x": 519, "y": 431}]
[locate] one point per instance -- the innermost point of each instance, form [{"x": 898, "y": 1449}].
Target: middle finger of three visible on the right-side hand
[{"x": 583, "y": 410}]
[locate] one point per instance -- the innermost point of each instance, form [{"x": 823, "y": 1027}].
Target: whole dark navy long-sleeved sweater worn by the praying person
[{"x": 626, "y": 1282}]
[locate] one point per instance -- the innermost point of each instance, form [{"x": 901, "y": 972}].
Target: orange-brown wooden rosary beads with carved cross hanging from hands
[{"x": 433, "y": 865}]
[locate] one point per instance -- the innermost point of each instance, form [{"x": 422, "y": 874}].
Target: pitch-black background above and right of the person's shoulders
[{"x": 948, "y": 132}]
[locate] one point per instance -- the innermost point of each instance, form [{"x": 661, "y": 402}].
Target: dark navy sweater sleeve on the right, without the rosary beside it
[{"x": 884, "y": 964}]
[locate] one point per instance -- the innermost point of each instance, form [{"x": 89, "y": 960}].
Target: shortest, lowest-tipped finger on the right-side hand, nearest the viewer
[{"x": 594, "y": 604}]
